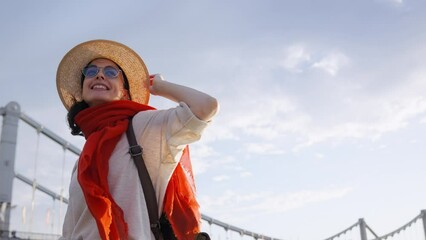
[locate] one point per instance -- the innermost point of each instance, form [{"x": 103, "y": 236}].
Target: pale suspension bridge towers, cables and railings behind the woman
[{"x": 11, "y": 116}]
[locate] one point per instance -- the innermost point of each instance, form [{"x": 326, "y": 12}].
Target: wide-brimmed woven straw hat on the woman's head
[{"x": 68, "y": 76}]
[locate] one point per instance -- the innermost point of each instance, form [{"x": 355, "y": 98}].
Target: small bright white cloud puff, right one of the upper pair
[{"x": 332, "y": 63}]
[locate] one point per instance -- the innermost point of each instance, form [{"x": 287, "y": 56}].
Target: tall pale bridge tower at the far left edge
[{"x": 8, "y": 140}]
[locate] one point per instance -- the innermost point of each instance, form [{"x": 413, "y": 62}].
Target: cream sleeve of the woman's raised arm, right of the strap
[{"x": 163, "y": 134}]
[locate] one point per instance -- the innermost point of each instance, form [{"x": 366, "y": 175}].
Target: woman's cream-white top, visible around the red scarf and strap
[{"x": 162, "y": 134}]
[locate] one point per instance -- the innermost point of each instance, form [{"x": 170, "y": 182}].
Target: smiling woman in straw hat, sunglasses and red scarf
[{"x": 103, "y": 84}]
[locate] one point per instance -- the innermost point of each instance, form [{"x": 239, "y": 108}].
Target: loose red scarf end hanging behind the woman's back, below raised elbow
[{"x": 180, "y": 205}]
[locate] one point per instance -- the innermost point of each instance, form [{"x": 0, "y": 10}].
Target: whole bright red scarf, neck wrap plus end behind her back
[{"x": 103, "y": 127}]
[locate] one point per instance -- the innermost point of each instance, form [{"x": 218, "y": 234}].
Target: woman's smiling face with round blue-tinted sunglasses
[{"x": 100, "y": 84}]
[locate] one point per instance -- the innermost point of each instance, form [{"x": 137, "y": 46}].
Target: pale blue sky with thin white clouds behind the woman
[{"x": 323, "y": 112}]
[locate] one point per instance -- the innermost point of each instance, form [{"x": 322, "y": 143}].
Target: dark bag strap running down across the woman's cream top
[{"x": 135, "y": 150}]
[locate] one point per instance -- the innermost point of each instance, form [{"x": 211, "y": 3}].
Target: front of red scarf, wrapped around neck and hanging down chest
[{"x": 103, "y": 127}]
